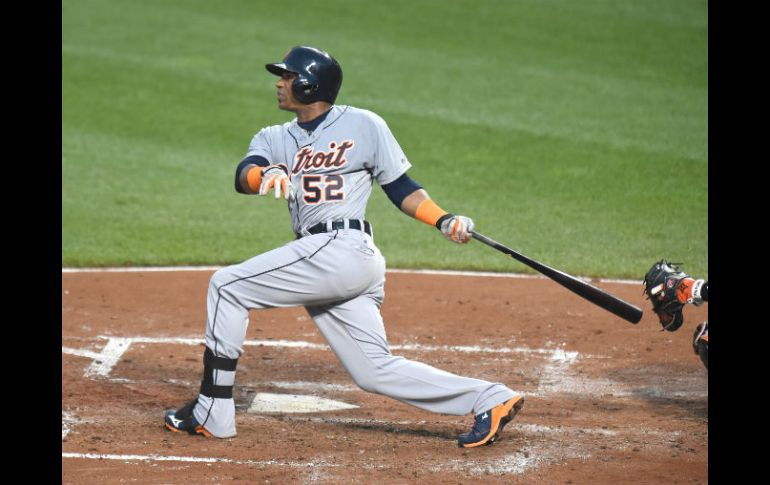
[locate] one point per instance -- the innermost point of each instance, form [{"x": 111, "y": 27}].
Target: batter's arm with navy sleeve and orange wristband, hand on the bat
[{"x": 413, "y": 200}]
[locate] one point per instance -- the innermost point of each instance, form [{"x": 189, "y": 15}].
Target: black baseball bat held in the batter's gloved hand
[{"x": 591, "y": 293}]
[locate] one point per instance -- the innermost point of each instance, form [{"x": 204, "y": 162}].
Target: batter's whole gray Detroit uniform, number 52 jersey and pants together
[{"x": 337, "y": 275}]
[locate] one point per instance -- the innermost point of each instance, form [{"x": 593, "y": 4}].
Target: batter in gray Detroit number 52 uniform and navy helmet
[{"x": 323, "y": 164}]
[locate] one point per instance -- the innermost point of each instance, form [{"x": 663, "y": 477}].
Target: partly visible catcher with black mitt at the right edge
[{"x": 669, "y": 290}]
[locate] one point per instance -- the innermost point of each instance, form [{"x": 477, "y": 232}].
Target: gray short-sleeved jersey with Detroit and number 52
[{"x": 332, "y": 168}]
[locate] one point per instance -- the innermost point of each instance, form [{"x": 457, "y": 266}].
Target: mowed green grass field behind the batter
[{"x": 575, "y": 132}]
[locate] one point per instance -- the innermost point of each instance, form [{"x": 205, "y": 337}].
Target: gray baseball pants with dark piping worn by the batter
[{"x": 339, "y": 278}]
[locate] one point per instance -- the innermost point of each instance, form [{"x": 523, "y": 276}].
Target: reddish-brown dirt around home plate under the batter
[{"x": 607, "y": 401}]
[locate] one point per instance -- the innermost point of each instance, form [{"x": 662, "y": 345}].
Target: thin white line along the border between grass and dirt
[{"x": 155, "y": 269}]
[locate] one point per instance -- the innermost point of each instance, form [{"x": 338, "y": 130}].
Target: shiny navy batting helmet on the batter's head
[{"x": 319, "y": 76}]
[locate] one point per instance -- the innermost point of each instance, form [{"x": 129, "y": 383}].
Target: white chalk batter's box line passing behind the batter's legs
[{"x": 103, "y": 362}]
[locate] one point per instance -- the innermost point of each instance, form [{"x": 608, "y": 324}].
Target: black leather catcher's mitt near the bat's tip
[{"x": 661, "y": 284}]
